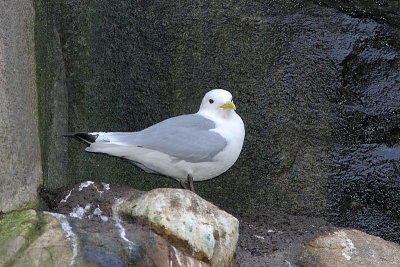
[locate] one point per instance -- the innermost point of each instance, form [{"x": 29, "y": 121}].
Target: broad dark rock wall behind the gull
[{"x": 317, "y": 89}]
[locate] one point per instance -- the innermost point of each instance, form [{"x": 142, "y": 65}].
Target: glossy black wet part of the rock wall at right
[{"x": 364, "y": 185}]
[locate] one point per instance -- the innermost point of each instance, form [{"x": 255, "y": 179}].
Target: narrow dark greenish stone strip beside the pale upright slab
[{"x": 52, "y": 94}]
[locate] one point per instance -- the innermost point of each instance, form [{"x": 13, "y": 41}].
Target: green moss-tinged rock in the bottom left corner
[{"x": 30, "y": 238}]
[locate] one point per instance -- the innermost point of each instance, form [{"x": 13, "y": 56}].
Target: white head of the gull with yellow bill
[{"x": 217, "y": 102}]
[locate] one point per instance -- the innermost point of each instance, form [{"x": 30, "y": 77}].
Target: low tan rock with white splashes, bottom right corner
[{"x": 348, "y": 247}]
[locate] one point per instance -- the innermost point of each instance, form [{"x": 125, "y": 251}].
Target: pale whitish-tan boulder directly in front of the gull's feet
[{"x": 187, "y": 221}]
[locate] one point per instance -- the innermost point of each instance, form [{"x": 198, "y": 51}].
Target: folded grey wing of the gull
[{"x": 186, "y": 137}]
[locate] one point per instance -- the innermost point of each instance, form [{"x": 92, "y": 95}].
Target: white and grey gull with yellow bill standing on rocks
[{"x": 192, "y": 147}]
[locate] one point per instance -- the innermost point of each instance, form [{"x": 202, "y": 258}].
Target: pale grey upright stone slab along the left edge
[{"x": 20, "y": 162}]
